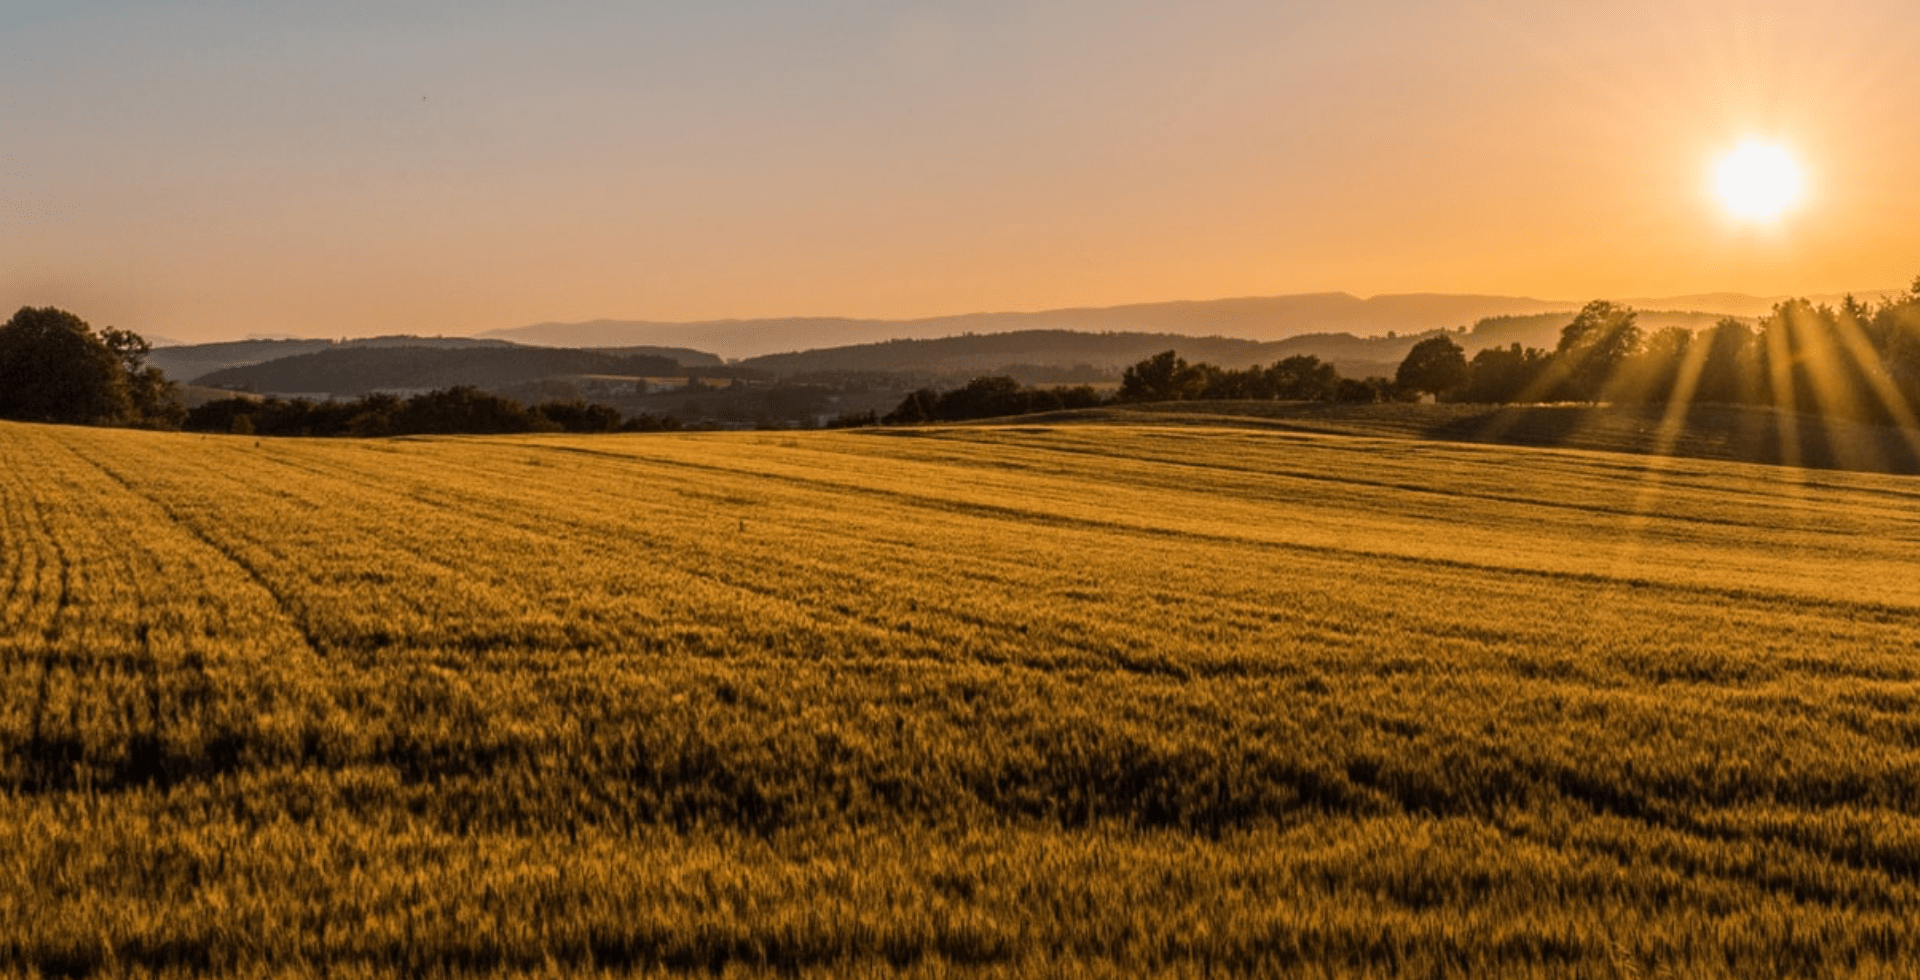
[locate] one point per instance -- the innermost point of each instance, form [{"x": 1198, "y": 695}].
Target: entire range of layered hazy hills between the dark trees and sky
[{"x": 1358, "y": 337}]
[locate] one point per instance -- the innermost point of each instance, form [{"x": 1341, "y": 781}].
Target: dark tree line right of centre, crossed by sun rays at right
[{"x": 1858, "y": 360}]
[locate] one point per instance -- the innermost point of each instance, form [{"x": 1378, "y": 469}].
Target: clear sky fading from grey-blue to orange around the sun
[{"x": 210, "y": 170}]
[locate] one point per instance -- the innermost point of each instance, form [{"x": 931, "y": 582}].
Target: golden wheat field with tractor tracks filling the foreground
[{"x": 1099, "y": 700}]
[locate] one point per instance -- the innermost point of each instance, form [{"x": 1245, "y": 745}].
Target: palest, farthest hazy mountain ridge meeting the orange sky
[{"x": 1259, "y": 318}]
